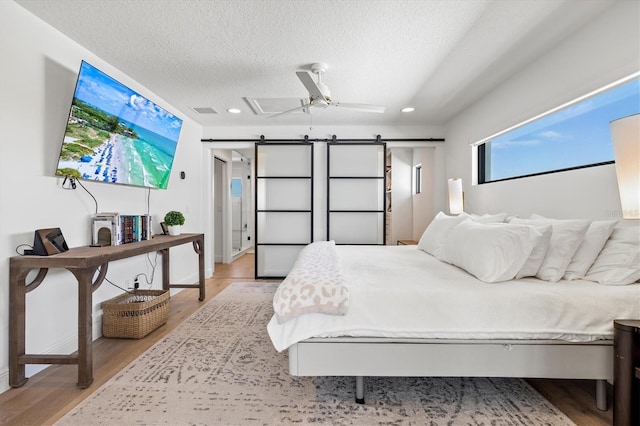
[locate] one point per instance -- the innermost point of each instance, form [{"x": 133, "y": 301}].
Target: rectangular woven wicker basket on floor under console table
[{"x": 134, "y": 315}]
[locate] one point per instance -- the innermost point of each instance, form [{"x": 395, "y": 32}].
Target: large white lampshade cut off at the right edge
[{"x": 625, "y": 134}]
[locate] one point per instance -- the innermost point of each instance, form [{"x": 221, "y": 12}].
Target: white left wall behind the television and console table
[{"x": 38, "y": 69}]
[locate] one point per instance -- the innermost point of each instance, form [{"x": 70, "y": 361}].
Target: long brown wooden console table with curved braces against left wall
[{"x": 83, "y": 263}]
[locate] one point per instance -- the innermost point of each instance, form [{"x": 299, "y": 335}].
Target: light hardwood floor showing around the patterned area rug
[{"x": 50, "y": 394}]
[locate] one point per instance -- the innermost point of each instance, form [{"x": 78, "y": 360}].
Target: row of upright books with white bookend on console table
[{"x": 115, "y": 228}]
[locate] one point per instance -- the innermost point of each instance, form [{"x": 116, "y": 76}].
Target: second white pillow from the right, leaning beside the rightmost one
[{"x": 594, "y": 240}]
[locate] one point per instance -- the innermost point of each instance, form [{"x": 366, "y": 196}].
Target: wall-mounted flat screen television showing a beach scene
[{"x": 116, "y": 135}]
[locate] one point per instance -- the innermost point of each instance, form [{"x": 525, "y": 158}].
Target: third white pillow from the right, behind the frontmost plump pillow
[{"x": 566, "y": 236}]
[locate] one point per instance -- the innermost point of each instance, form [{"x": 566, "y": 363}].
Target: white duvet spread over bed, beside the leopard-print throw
[{"x": 403, "y": 292}]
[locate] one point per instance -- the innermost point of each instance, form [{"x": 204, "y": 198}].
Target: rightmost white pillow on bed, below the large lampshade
[{"x": 619, "y": 261}]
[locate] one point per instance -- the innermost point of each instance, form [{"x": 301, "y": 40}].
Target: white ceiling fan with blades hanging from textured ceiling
[{"x": 320, "y": 96}]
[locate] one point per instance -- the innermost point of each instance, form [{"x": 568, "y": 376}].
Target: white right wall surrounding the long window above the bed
[{"x": 600, "y": 53}]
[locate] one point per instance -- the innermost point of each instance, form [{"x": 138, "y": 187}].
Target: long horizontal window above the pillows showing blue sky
[{"x": 572, "y": 136}]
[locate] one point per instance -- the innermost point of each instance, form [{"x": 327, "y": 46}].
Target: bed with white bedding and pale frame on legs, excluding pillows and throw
[{"x": 450, "y": 323}]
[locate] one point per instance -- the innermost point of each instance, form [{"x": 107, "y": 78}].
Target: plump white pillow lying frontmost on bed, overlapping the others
[{"x": 491, "y": 252}]
